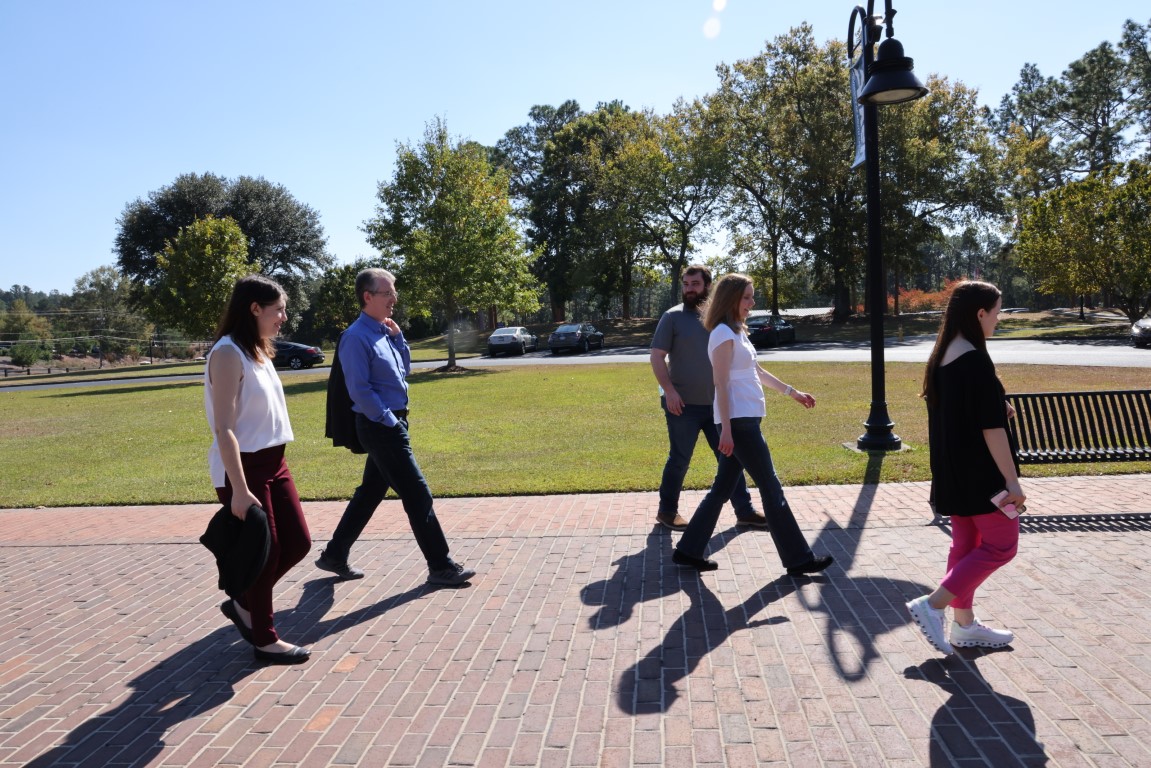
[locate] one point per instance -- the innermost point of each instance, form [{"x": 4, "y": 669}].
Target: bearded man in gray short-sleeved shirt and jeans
[{"x": 680, "y": 361}]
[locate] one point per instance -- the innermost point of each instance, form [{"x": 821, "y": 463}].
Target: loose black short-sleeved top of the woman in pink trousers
[{"x": 970, "y": 399}]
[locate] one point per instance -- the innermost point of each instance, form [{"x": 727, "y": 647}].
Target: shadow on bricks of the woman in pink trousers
[{"x": 977, "y": 726}]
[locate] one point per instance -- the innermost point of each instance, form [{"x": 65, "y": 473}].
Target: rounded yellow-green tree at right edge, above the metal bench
[{"x": 1094, "y": 235}]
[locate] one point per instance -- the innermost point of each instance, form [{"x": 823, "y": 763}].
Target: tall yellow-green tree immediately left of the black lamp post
[{"x": 790, "y": 154}]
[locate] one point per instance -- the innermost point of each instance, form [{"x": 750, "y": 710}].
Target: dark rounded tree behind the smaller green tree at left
[{"x": 284, "y": 238}]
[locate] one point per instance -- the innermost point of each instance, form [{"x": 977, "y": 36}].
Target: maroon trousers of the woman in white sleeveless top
[{"x": 269, "y": 480}]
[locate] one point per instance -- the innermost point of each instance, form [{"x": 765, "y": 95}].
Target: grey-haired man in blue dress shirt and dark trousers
[{"x": 376, "y": 360}]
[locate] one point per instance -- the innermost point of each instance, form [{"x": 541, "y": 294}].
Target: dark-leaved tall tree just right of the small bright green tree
[{"x": 540, "y": 179}]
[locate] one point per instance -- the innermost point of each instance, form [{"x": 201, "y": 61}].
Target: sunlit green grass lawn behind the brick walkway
[{"x": 532, "y": 430}]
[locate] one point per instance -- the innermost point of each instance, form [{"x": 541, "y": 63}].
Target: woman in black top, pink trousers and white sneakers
[{"x": 972, "y": 462}]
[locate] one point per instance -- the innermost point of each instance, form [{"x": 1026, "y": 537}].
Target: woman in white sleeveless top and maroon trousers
[{"x": 246, "y": 408}]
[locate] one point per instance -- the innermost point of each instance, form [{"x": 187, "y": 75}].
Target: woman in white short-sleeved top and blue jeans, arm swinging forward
[{"x": 740, "y": 408}]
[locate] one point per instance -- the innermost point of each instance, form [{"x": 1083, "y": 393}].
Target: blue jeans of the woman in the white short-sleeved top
[{"x": 751, "y": 454}]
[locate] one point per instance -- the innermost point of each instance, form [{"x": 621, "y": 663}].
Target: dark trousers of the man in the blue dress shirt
[{"x": 391, "y": 465}]
